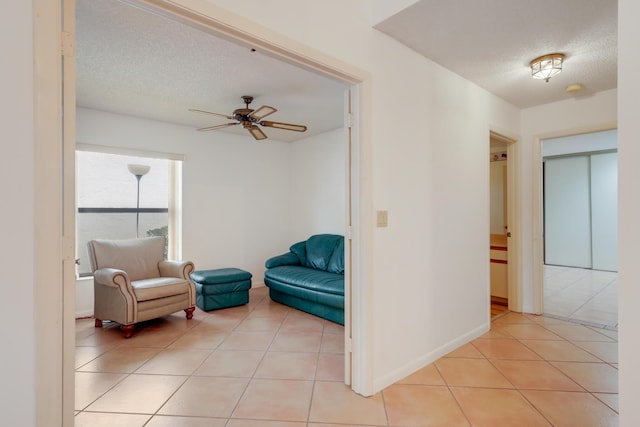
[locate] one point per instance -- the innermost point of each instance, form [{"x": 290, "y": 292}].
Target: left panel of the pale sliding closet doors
[{"x": 567, "y": 216}]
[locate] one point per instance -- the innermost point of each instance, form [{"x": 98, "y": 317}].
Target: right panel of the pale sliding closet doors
[{"x": 604, "y": 211}]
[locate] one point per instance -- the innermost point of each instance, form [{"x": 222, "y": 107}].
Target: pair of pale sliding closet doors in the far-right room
[{"x": 581, "y": 215}]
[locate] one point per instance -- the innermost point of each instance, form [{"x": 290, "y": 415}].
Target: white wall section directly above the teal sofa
[{"x": 318, "y": 180}]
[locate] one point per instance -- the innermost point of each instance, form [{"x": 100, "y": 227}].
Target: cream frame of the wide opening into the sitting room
[{"x": 58, "y": 338}]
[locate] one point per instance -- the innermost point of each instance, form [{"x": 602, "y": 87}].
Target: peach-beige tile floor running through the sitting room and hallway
[{"x": 266, "y": 365}]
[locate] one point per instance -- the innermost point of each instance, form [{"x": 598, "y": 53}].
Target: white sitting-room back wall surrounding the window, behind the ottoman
[{"x": 235, "y": 201}]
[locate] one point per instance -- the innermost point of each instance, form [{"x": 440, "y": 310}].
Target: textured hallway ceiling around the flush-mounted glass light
[{"x": 491, "y": 43}]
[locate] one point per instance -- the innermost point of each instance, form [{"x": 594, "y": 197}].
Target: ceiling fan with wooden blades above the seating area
[{"x": 250, "y": 118}]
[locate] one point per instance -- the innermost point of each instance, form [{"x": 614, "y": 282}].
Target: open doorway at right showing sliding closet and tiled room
[{"x": 579, "y": 174}]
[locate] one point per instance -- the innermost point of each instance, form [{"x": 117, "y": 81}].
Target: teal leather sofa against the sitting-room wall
[{"x": 310, "y": 277}]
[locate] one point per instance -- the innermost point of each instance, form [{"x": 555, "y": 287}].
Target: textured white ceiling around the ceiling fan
[{"x": 133, "y": 62}]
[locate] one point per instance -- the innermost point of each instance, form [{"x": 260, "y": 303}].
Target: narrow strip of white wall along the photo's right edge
[{"x": 629, "y": 209}]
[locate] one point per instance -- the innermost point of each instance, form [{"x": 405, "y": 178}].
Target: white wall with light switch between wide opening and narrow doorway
[{"x": 429, "y": 171}]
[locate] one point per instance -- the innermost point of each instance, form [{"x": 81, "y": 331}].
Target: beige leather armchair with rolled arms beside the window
[{"x": 133, "y": 282}]
